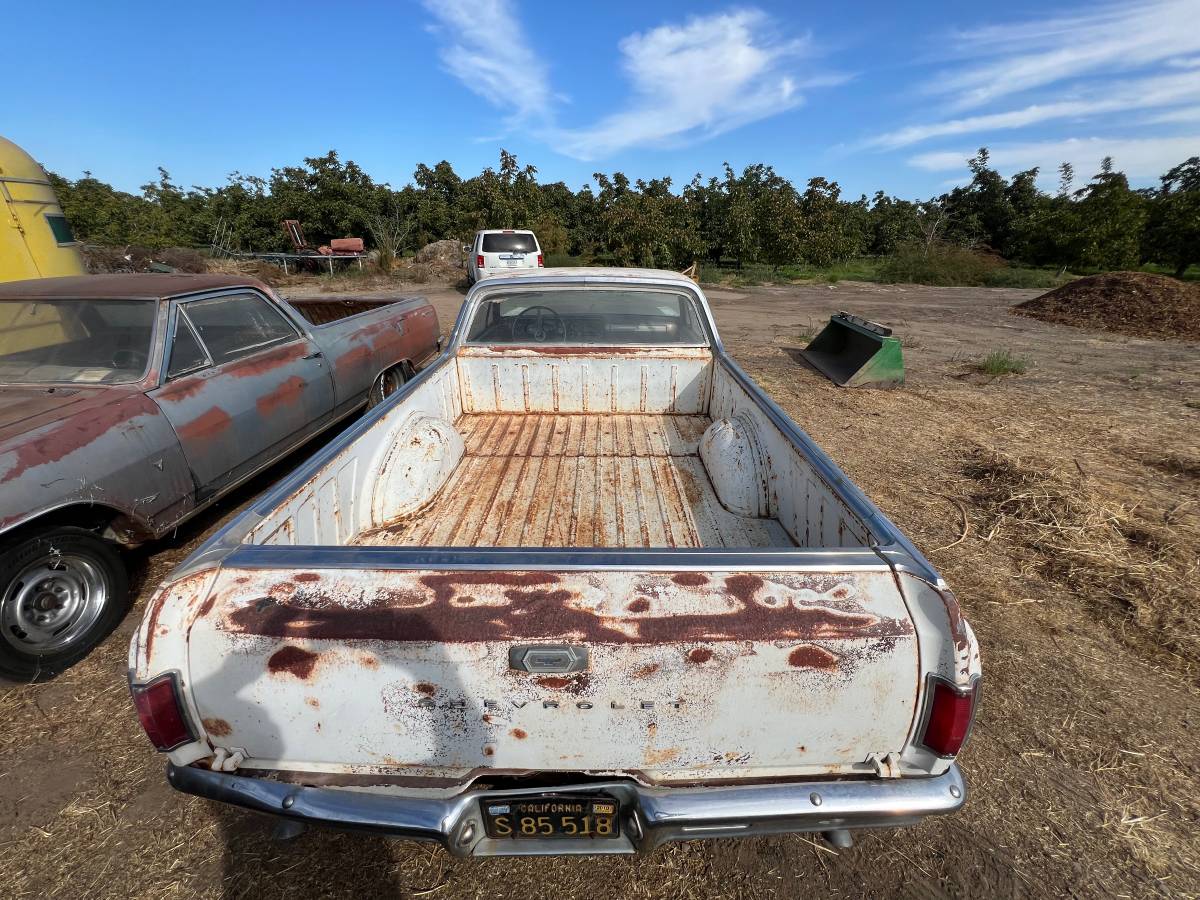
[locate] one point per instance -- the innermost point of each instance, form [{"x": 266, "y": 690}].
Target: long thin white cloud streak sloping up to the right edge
[{"x": 1138, "y": 94}]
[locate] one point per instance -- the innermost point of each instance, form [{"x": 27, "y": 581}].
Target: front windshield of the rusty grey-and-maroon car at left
[{"x": 75, "y": 341}]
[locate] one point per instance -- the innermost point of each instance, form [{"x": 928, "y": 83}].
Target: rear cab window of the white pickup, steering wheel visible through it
[{"x": 589, "y": 316}]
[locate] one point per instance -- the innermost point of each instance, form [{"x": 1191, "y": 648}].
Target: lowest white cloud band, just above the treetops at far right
[{"x": 1141, "y": 159}]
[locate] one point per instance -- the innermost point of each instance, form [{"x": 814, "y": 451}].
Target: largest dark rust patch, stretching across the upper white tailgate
[{"x": 434, "y": 609}]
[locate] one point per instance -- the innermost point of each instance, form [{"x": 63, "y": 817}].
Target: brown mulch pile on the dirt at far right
[{"x": 1136, "y": 304}]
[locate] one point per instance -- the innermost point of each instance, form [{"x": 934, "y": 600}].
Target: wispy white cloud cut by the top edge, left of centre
[{"x": 487, "y": 50}]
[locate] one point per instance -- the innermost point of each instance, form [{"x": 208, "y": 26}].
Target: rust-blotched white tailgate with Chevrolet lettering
[{"x": 687, "y": 676}]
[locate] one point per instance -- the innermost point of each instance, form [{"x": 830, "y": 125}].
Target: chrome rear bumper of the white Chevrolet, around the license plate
[{"x": 651, "y": 815}]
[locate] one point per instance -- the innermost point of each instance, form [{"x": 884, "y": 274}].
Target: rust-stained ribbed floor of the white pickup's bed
[{"x": 581, "y": 481}]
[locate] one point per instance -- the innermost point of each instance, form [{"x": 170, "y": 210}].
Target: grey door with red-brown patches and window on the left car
[{"x": 243, "y": 386}]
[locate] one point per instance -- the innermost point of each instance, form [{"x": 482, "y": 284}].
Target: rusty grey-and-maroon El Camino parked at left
[{"x": 131, "y": 403}]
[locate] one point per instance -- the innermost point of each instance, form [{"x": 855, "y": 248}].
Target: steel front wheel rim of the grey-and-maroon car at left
[{"x": 53, "y": 602}]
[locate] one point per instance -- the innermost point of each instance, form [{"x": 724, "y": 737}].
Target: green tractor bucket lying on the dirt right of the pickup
[{"x": 854, "y": 352}]
